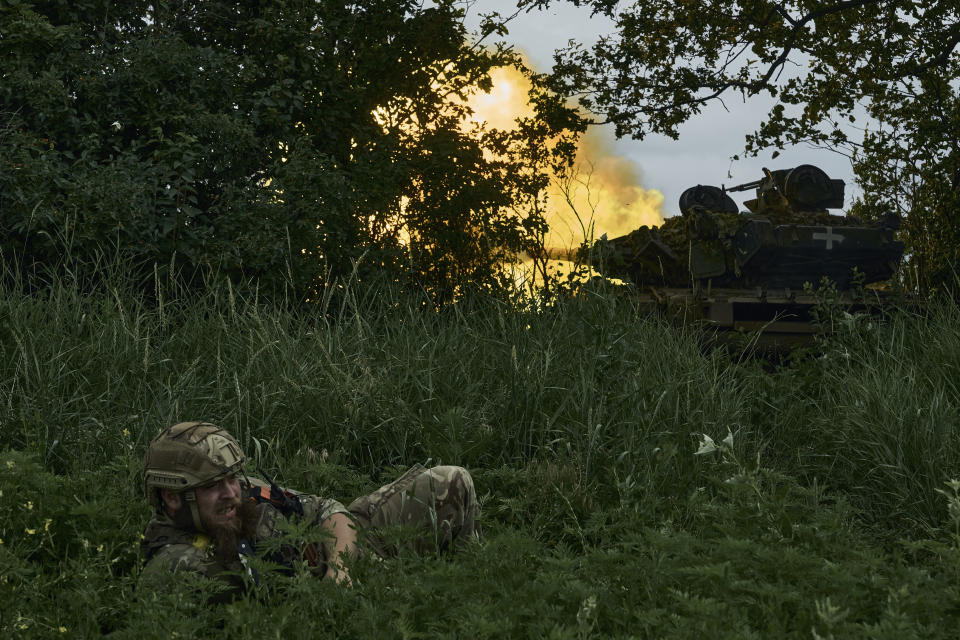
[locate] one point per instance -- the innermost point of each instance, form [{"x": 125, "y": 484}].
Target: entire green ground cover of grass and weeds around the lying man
[{"x": 580, "y": 422}]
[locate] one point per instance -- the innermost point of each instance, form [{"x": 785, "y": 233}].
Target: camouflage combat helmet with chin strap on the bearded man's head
[{"x": 186, "y": 456}]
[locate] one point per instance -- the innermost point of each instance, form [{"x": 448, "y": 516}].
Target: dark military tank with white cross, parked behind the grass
[{"x": 748, "y": 271}]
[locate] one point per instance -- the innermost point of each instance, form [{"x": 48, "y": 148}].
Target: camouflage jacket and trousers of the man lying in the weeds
[{"x": 433, "y": 507}]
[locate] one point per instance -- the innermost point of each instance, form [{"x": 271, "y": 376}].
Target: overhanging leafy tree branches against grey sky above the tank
[{"x": 826, "y": 64}]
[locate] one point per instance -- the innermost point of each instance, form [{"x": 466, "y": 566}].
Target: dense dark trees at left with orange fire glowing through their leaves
[{"x": 291, "y": 143}]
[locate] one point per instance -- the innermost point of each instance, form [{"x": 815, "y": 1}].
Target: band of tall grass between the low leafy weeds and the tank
[{"x": 591, "y": 382}]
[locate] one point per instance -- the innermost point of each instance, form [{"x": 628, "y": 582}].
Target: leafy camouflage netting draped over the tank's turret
[{"x": 658, "y": 256}]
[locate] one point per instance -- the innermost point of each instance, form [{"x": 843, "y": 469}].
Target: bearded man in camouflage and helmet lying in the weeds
[{"x": 210, "y": 517}]
